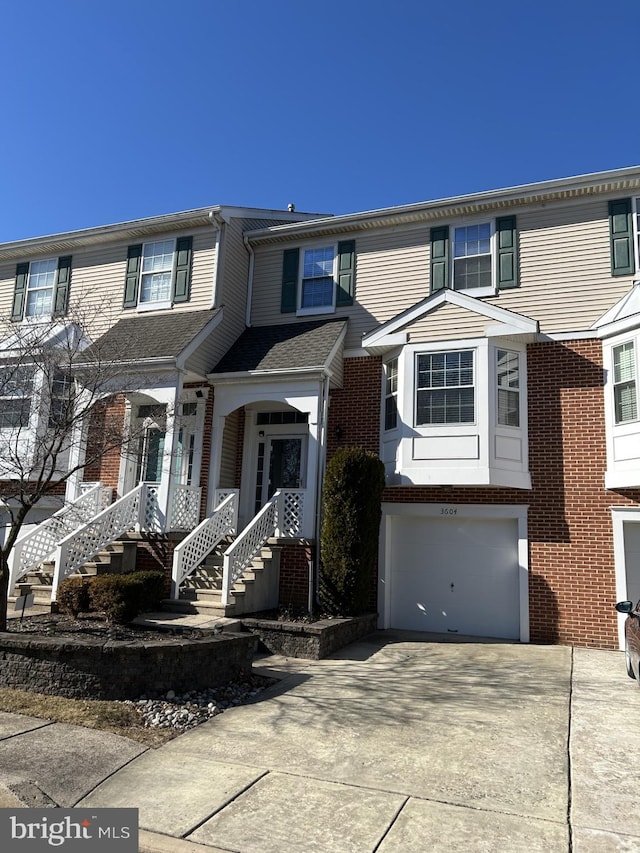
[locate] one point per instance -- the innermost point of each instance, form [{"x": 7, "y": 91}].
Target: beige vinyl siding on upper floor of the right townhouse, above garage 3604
[{"x": 565, "y": 273}]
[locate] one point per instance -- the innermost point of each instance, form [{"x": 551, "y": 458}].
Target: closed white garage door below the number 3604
[{"x": 455, "y": 576}]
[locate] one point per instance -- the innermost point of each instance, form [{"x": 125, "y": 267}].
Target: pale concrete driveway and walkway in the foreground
[{"x": 396, "y": 744}]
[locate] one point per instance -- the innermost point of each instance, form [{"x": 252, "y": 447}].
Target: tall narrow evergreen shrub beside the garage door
[{"x": 352, "y": 498}]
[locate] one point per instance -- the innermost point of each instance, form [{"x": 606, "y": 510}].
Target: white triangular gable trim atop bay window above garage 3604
[{"x": 505, "y": 323}]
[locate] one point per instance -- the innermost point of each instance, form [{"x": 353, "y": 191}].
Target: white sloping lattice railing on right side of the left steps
[{"x": 81, "y": 545}]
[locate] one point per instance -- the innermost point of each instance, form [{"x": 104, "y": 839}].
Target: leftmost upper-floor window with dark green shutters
[{"x": 41, "y": 288}]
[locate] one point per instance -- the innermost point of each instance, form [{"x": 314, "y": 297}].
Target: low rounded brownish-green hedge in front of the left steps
[{"x": 120, "y": 597}]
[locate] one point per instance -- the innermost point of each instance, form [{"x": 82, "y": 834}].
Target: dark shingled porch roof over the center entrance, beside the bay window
[{"x": 273, "y": 348}]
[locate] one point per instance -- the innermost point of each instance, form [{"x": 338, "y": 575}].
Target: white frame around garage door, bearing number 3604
[{"x": 474, "y": 511}]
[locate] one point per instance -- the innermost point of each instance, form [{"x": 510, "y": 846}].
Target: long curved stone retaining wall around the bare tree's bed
[{"x": 121, "y": 669}]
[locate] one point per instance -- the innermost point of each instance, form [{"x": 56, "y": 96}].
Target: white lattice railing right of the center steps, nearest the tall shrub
[{"x": 281, "y": 516}]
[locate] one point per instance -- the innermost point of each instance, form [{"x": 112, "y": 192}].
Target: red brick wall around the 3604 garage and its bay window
[{"x": 571, "y": 562}]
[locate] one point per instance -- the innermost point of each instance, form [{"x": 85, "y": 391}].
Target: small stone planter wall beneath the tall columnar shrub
[{"x": 312, "y": 640}]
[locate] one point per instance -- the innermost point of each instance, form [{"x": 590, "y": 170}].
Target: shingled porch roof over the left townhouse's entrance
[{"x": 154, "y": 336}]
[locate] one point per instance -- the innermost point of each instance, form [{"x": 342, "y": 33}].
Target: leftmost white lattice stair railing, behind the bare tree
[{"x": 37, "y": 545}]
